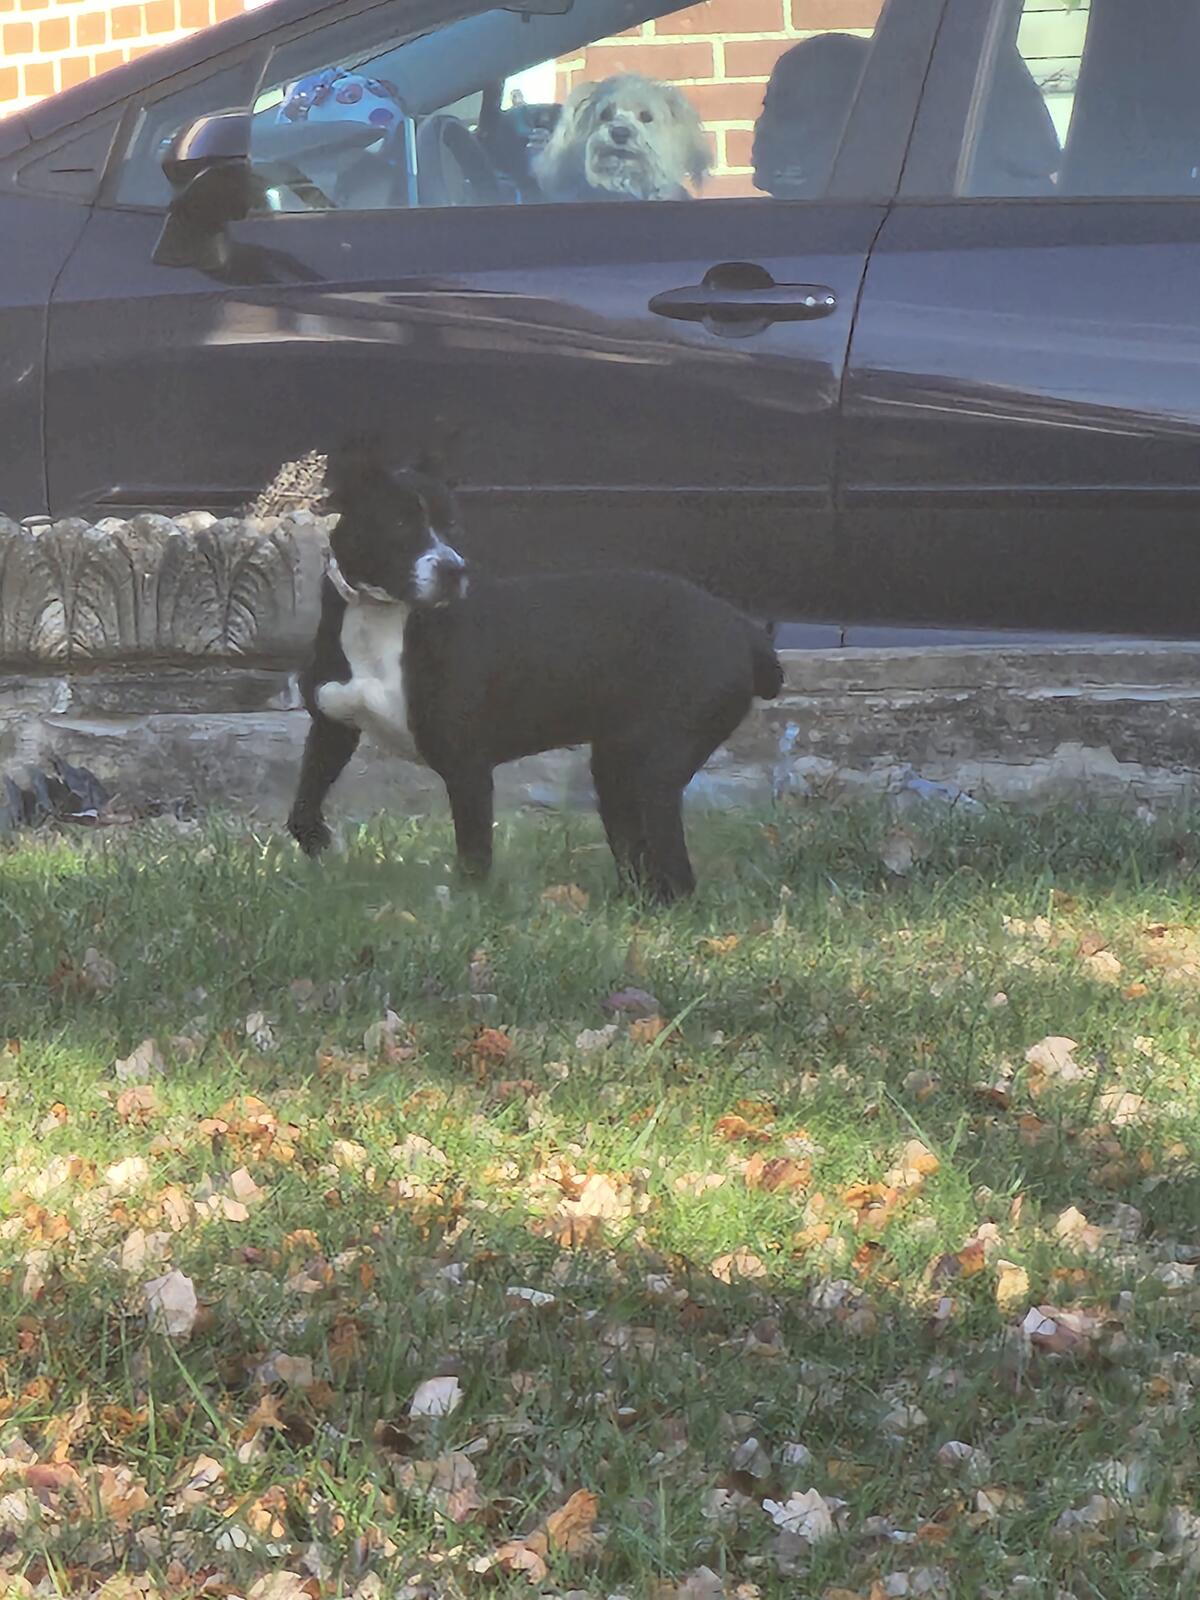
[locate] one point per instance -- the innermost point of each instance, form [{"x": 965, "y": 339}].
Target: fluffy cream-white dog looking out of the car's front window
[{"x": 626, "y": 138}]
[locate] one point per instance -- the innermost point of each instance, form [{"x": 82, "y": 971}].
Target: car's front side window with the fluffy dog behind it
[{"x": 612, "y": 102}]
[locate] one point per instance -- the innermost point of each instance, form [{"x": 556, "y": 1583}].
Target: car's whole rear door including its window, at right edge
[{"x": 1023, "y": 399}]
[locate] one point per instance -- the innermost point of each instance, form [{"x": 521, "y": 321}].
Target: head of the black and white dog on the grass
[{"x": 396, "y": 532}]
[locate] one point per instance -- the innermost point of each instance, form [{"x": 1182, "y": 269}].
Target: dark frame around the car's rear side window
[{"x": 954, "y": 97}]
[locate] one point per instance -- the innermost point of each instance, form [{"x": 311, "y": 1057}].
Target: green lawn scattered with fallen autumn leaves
[{"x": 830, "y": 1236}]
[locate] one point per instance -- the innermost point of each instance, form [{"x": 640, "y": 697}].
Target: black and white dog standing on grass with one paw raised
[{"x": 463, "y": 676}]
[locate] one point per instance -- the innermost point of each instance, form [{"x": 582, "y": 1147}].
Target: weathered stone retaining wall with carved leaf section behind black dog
[{"x": 164, "y": 657}]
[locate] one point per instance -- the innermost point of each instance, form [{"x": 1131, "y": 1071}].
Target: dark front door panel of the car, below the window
[{"x": 591, "y": 431}]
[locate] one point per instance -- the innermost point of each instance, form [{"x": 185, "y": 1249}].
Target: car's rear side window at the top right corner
[{"x": 1089, "y": 98}]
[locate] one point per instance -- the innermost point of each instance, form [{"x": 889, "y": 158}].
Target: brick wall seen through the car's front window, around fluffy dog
[{"x": 721, "y": 54}]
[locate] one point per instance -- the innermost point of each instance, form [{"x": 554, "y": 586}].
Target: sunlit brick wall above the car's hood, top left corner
[{"x": 47, "y": 46}]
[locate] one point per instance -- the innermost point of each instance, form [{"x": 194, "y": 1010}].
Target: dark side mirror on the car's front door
[{"x": 212, "y": 180}]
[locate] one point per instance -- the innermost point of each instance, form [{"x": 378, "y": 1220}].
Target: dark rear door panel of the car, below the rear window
[{"x": 1022, "y": 428}]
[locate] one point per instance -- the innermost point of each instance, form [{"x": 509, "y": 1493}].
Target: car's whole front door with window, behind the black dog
[{"x": 615, "y": 401}]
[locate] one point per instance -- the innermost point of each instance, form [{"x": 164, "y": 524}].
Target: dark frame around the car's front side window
[{"x": 868, "y": 169}]
